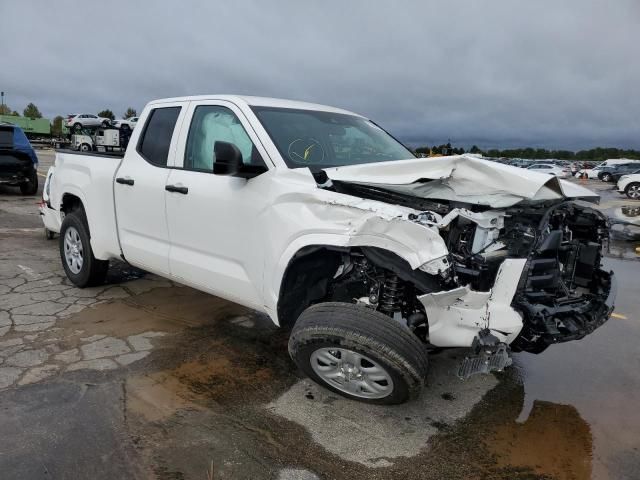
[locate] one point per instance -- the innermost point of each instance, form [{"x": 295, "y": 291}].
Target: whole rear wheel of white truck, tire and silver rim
[{"x": 81, "y": 267}]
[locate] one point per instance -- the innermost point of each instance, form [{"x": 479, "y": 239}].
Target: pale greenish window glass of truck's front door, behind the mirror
[{"x": 210, "y": 124}]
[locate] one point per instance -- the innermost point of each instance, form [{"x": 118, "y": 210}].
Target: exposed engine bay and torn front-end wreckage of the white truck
[{"x": 544, "y": 257}]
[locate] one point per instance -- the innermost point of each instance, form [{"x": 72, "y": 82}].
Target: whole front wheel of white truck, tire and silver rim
[{"x": 359, "y": 353}]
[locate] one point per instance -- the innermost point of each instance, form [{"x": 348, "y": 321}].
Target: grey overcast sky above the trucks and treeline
[{"x": 492, "y": 72}]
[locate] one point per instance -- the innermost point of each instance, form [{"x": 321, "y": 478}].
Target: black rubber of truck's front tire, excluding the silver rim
[{"x": 366, "y": 332}]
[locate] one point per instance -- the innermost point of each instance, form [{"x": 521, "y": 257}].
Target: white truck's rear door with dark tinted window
[{"x": 139, "y": 189}]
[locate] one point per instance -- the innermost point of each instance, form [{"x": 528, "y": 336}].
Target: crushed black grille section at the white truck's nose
[{"x": 563, "y": 293}]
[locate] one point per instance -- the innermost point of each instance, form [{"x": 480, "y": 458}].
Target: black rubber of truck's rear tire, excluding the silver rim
[{"x": 93, "y": 271}]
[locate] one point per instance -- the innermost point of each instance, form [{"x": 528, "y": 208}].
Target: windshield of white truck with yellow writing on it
[{"x": 314, "y": 139}]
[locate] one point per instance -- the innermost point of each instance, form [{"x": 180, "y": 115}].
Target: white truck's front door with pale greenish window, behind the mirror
[{"x": 217, "y": 243}]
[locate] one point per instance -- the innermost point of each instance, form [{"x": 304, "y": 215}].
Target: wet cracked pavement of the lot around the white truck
[{"x": 145, "y": 378}]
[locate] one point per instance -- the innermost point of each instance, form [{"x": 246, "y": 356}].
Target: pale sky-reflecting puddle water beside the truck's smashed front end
[{"x": 598, "y": 376}]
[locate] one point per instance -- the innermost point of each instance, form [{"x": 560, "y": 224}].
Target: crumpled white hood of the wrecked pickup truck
[{"x": 462, "y": 178}]
